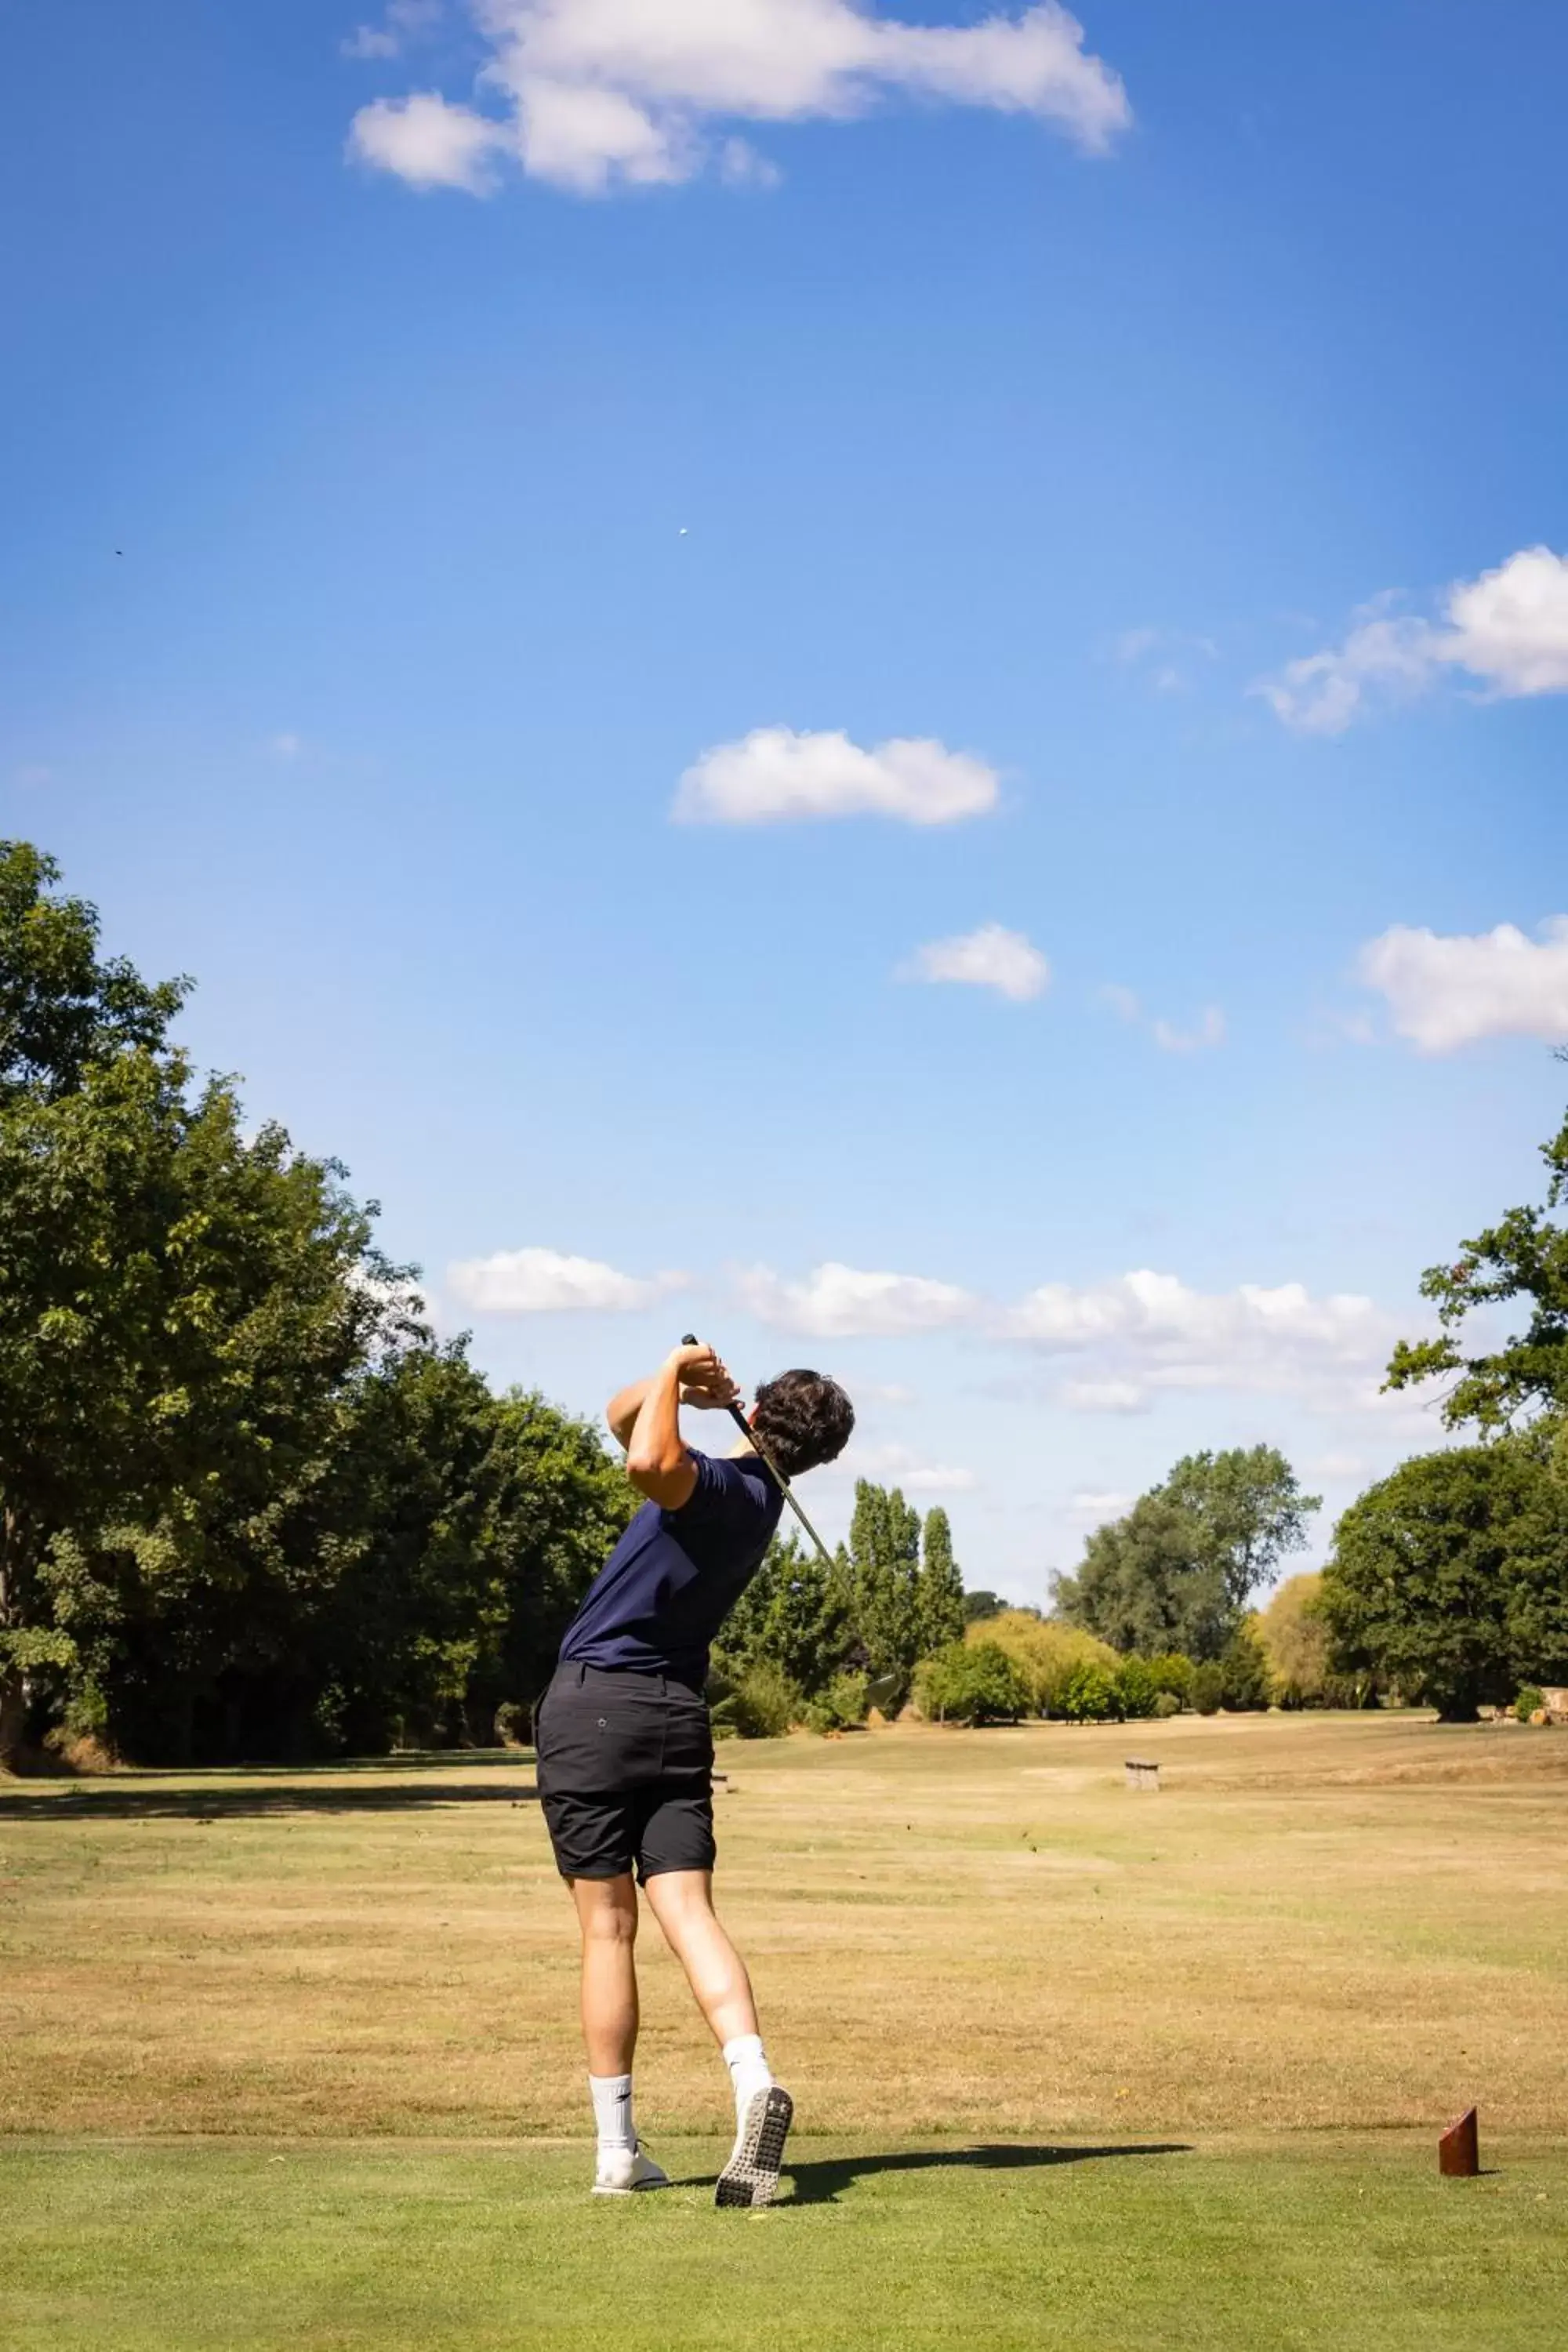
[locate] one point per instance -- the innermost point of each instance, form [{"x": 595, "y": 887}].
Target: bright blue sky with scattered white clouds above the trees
[{"x": 1158, "y": 425}]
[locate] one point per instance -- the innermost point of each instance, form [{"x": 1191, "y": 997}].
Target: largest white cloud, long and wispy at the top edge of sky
[{"x": 610, "y": 93}]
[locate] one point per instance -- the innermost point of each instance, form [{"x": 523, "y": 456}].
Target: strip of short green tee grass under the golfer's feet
[{"x": 328, "y": 2250}]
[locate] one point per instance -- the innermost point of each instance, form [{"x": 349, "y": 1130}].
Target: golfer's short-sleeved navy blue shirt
[{"x": 676, "y": 1575}]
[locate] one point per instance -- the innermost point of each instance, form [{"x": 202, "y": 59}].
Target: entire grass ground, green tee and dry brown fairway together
[{"x": 290, "y": 2057}]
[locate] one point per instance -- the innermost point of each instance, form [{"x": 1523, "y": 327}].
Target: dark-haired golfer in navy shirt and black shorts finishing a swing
[{"x": 626, "y": 1744}]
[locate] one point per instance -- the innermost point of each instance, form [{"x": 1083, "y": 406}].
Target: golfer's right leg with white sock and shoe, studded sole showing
[{"x": 716, "y": 1972}]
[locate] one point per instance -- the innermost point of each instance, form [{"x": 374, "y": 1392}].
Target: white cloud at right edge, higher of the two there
[{"x": 1508, "y": 632}]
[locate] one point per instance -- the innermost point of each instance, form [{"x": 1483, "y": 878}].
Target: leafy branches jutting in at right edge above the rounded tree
[{"x": 1522, "y": 1257}]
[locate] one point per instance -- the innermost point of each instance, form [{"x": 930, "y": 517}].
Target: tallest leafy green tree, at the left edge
[{"x": 180, "y": 1304}]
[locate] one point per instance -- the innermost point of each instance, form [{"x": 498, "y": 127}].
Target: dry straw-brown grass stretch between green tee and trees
[{"x": 1320, "y": 1923}]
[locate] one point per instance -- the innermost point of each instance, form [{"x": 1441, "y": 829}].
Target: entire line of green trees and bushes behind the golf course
[{"x": 250, "y": 1506}]
